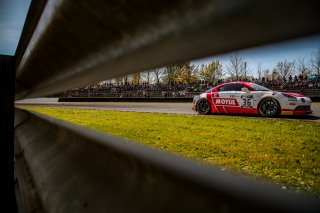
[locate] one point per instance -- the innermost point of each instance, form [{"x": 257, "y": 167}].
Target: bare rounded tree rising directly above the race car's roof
[{"x": 237, "y": 67}]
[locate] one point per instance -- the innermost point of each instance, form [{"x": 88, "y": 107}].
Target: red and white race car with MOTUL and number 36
[{"x": 250, "y": 98}]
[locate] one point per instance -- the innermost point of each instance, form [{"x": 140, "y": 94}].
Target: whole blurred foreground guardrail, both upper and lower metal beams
[{"x": 64, "y": 168}]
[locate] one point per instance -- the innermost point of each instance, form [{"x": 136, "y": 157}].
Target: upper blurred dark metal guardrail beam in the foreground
[{"x": 77, "y": 44}]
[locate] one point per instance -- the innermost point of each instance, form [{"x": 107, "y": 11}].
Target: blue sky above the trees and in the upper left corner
[{"x": 13, "y": 14}]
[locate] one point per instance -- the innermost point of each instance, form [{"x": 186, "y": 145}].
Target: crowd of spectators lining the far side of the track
[{"x": 146, "y": 90}]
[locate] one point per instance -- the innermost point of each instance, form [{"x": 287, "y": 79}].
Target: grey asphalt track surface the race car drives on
[{"x": 172, "y": 108}]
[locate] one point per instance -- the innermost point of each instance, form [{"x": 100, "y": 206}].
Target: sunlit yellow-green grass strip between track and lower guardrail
[{"x": 284, "y": 151}]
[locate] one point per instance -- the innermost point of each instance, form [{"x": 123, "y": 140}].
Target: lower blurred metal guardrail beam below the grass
[{"x": 73, "y": 169}]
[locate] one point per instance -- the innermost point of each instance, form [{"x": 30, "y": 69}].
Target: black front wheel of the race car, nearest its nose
[{"x": 269, "y": 107}]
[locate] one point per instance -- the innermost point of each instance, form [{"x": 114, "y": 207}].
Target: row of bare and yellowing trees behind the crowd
[{"x": 213, "y": 72}]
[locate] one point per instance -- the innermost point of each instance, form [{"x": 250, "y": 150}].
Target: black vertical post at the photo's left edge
[{"x": 7, "y": 71}]
